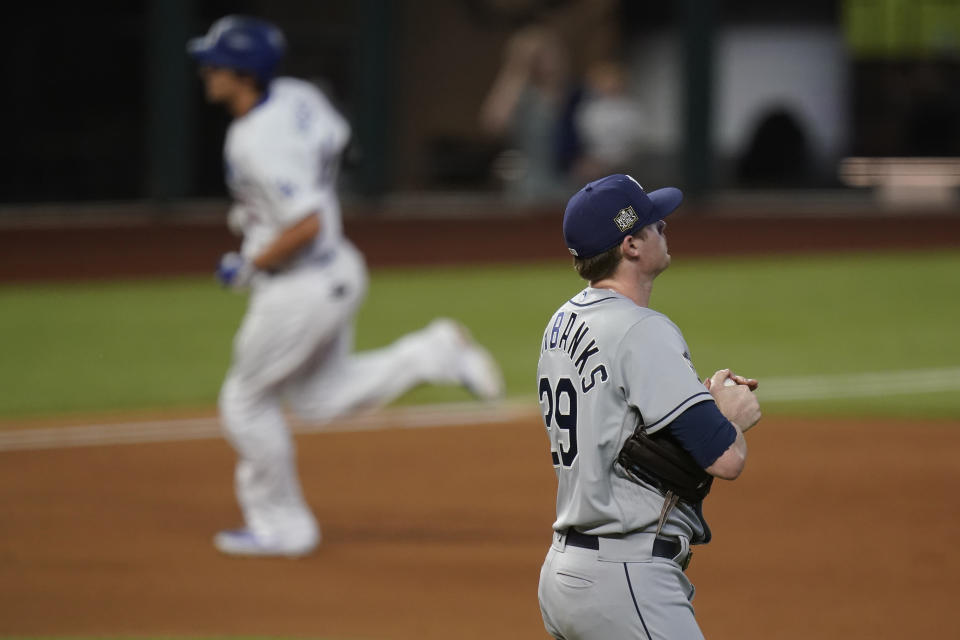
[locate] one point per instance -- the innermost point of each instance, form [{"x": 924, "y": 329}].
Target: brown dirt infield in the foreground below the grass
[{"x": 836, "y": 530}]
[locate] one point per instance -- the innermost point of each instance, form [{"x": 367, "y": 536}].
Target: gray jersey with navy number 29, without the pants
[{"x": 606, "y": 366}]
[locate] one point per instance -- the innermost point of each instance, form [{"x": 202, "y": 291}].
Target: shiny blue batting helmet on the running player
[{"x": 241, "y": 43}]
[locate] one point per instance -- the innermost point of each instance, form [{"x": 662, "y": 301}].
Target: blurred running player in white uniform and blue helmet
[{"x": 282, "y": 153}]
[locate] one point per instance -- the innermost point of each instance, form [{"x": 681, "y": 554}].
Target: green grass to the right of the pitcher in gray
[{"x": 823, "y": 315}]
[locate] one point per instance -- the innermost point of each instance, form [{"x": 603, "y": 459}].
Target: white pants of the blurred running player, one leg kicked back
[{"x": 294, "y": 346}]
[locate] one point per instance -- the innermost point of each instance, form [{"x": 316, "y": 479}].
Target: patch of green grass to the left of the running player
[{"x": 114, "y": 346}]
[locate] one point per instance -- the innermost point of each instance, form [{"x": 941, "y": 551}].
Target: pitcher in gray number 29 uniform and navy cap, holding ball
[{"x": 635, "y": 437}]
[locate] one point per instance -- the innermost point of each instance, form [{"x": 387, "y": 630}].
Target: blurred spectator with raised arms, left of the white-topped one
[{"x": 530, "y": 104}]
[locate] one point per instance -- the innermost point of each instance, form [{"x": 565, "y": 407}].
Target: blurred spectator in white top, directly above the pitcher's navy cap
[{"x": 609, "y": 123}]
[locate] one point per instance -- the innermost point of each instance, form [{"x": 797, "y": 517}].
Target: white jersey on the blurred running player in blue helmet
[{"x": 281, "y": 163}]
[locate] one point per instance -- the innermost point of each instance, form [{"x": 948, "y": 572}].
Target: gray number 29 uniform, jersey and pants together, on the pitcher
[{"x": 606, "y": 366}]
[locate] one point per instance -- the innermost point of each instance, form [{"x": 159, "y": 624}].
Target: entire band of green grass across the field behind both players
[{"x": 158, "y": 344}]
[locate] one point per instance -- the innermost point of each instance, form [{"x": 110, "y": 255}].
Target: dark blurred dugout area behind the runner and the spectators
[{"x": 104, "y": 106}]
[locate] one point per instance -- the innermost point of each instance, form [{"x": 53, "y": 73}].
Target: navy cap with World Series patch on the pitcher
[{"x": 608, "y": 210}]
